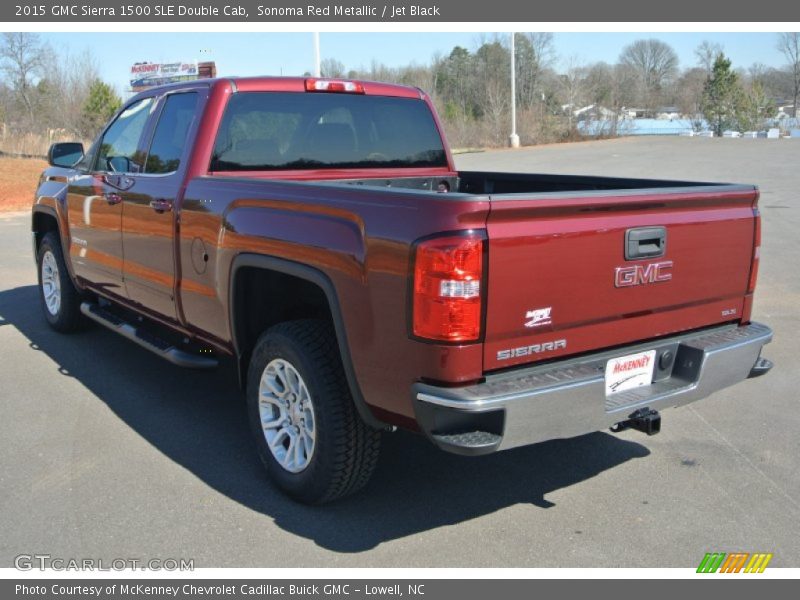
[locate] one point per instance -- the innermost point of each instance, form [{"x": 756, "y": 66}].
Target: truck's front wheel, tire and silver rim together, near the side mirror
[{"x": 61, "y": 301}]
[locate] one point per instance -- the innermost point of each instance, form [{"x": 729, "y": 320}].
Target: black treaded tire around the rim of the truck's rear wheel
[{"x": 345, "y": 449}]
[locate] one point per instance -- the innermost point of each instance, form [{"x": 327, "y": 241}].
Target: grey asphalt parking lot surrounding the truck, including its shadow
[{"x": 109, "y": 452}]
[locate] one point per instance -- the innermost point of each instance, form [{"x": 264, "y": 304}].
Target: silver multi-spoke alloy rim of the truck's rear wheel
[{"x": 287, "y": 415}]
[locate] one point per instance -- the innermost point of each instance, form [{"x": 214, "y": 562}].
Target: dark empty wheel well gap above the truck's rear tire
[{"x": 262, "y": 298}]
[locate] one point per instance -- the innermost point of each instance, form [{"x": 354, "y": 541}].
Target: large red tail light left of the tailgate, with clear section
[{"x": 448, "y": 281}]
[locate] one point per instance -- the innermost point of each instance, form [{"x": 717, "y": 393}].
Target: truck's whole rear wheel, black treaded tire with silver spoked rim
[{"x": 309, "y": 435}]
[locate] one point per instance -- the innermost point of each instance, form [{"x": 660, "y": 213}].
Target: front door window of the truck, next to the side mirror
[{"x": 118, "y": 148}]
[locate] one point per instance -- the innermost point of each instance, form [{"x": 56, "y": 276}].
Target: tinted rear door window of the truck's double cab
[{"x": 170, "y": 135}]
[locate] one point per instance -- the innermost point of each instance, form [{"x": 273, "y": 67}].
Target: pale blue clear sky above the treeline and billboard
[{"x": 271, "y": 53}]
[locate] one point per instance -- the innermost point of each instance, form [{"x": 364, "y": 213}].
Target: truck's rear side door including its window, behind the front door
[{"x": 149, "y": 216}]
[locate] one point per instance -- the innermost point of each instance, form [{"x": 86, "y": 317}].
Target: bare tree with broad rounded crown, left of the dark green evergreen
[{"x": 655, "y": 64}]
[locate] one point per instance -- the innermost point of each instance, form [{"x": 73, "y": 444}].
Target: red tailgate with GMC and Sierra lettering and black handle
[{"x": 559, "y": 282}]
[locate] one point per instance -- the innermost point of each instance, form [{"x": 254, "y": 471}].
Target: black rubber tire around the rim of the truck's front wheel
[{"x": 67, "y": 317}]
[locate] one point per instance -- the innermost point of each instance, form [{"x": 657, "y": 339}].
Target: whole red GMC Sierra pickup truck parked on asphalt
[{"x": 318, "y": 232}]
